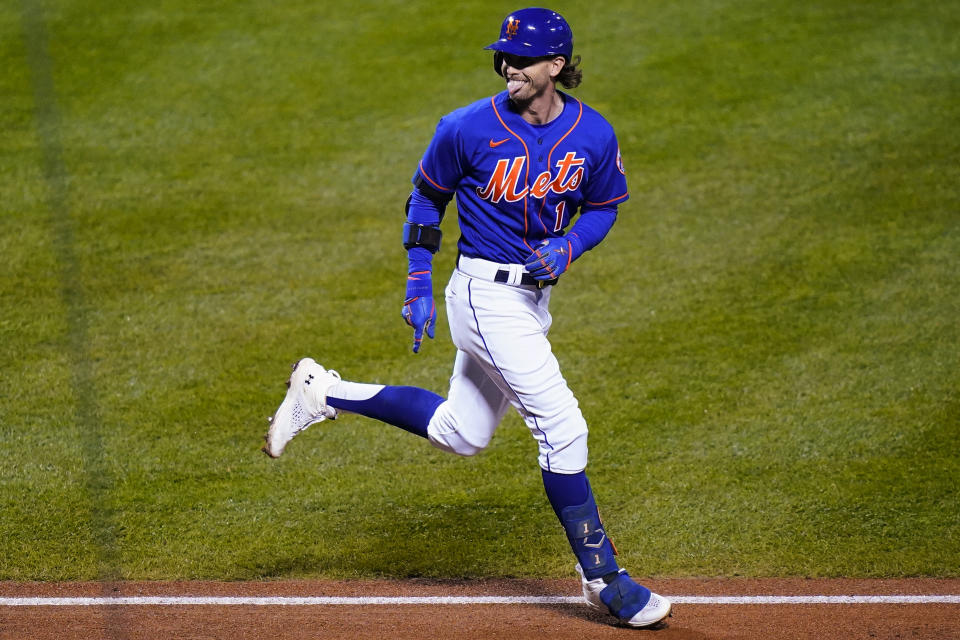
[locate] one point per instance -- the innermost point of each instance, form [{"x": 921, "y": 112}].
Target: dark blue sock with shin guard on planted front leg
[{"x": 573, "y": 502}]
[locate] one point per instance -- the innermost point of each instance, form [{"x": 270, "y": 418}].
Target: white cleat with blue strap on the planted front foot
[{"x": 633, "y": 604}]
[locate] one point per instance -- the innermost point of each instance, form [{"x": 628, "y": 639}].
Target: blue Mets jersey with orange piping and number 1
[{"x": 518, "y": 183}]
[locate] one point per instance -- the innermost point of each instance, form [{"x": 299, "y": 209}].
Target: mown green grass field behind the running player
[{"x": 766, "y": 347}]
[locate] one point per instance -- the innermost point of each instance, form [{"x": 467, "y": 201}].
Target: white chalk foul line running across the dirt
[{"x": 272, "y": 601}]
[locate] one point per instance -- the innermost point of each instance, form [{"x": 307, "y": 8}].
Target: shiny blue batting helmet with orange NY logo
[{"x": 535, "y": 33}]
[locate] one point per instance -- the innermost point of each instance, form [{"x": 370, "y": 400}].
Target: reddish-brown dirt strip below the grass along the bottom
[{"x": 387, "y": 620}]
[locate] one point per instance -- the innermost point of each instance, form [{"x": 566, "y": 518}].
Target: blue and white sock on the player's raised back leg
[{"x": 409, "y": 408}]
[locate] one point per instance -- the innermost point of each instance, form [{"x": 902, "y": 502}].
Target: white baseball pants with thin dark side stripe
[{"x": 504, "y": 359}]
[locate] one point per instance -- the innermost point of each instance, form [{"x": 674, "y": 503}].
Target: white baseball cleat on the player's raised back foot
[{"x": 304, "y": 405}]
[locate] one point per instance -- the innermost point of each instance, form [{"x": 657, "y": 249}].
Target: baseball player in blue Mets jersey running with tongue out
[{"x": 523, "y": 165}]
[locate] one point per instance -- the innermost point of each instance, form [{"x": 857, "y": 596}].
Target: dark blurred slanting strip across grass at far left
[{"x": 47, "y": 117}]
